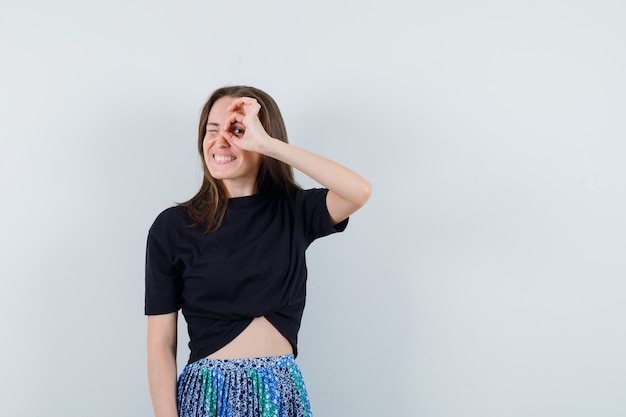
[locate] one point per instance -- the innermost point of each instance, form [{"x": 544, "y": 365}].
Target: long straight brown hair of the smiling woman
[{"x": 208, "y": 206}]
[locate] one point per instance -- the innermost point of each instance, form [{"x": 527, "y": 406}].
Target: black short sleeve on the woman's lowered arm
[{"x": 163, "y": 292}]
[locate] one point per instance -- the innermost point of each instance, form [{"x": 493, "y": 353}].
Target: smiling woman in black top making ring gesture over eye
[{"x": 233, "y": 259}]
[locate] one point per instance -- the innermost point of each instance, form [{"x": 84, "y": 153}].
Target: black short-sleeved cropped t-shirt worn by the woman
[{"x": 253, "y": 265}]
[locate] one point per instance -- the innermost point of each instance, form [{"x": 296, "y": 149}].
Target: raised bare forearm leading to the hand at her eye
[{"x": 346, "y": 183}]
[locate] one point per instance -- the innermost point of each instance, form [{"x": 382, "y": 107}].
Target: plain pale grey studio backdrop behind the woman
[{"x": 484, "y": 278}]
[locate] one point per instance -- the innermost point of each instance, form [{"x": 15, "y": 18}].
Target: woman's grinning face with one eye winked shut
[{"x": 236, "y": 167}]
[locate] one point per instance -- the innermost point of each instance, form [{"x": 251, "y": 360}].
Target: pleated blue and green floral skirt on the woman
[{"x": 256, "y": 387}]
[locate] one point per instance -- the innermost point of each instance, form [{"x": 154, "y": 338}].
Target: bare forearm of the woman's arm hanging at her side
[{"x": 162, "y": 373}]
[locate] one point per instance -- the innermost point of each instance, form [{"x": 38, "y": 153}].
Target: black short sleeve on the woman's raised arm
[{"x": 317, "y": 221}]
